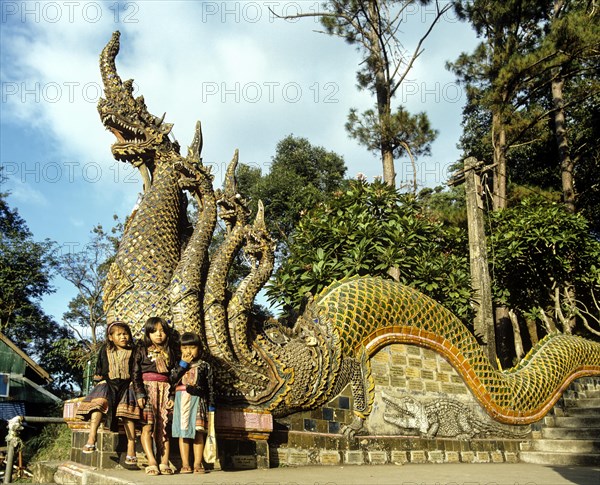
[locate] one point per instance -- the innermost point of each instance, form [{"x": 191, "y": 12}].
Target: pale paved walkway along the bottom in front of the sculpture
[{"x": 409, "y": 474}]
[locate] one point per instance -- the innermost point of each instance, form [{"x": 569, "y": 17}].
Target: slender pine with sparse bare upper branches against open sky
[{"x": 372, "y": 26}]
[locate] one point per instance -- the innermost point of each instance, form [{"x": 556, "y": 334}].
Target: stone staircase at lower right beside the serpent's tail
[{"x": 570, "y": 434}]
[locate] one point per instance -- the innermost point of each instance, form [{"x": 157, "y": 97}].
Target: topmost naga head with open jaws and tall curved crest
[{"x": 139, "y": 134}]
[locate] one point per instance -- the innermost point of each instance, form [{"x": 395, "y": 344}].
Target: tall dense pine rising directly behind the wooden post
[{"x": 494, "y": 76}]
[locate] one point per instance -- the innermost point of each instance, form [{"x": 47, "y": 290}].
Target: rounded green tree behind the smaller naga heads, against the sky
[{"x": 300, "y": 176}]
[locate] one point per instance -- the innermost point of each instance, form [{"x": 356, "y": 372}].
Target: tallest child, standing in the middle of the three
[{"x": 153, "y": 362}]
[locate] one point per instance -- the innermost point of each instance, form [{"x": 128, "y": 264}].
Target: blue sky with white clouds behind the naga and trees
[{"x": 251, "y": 79}]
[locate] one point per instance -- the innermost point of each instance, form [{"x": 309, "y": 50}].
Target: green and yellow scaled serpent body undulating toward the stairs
[{"x": 372, "y": 313}]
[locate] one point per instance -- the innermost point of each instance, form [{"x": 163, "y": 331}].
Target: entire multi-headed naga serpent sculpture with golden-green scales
[{"x": 163, "y": 267}]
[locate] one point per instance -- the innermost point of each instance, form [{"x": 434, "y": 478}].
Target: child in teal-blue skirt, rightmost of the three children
[{"x": 194, "y": 397}]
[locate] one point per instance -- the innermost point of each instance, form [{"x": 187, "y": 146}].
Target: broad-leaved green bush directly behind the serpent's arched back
[{"x": 366, "y": 230}]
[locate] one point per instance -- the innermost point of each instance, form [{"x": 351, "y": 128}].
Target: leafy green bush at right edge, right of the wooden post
[{"x": 538, "y": 250}]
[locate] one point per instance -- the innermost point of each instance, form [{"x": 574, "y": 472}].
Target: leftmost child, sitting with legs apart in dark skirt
[{"x": 113, "y": 395}]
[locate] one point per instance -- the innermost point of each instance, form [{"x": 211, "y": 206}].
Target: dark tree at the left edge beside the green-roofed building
[{"x": 26, "y": 271}]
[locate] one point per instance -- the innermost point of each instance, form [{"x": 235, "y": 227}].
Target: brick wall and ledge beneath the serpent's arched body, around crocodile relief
[{"x": 313, "y": 437}]
